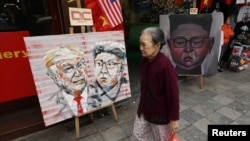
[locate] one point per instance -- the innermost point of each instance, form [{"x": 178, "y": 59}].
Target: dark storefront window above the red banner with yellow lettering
[{"x": 31, "y": 15}]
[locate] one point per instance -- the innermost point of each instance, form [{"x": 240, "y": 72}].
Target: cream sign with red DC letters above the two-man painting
[{"x": 80, "y": 17}]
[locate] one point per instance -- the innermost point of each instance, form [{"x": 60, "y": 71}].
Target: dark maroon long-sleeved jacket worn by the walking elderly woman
[{"x": 159, "y": 100}]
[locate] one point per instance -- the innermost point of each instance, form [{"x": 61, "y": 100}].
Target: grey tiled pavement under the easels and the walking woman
[{"x": 224, "y": 99}]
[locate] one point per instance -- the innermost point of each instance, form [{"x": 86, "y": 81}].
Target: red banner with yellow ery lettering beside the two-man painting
[{"x": 15, "y": 74}]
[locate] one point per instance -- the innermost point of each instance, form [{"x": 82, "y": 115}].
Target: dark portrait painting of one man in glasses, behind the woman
[{"x": 194, "y": 42}]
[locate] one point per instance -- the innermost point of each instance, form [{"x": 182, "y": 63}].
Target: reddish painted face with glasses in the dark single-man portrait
[{"x": 189, "y": 45}]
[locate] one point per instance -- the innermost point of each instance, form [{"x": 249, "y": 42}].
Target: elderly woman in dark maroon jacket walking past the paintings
[{"x": 158, "y": 111}]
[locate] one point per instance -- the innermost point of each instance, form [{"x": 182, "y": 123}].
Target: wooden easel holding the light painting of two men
[{"x": 90, "y": 113}]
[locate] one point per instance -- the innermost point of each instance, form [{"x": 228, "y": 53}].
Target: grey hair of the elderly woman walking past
[{"x": 157, "y": 35}]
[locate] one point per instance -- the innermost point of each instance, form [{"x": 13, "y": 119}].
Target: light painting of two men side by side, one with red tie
[{"x": 75, "y": 74}]
